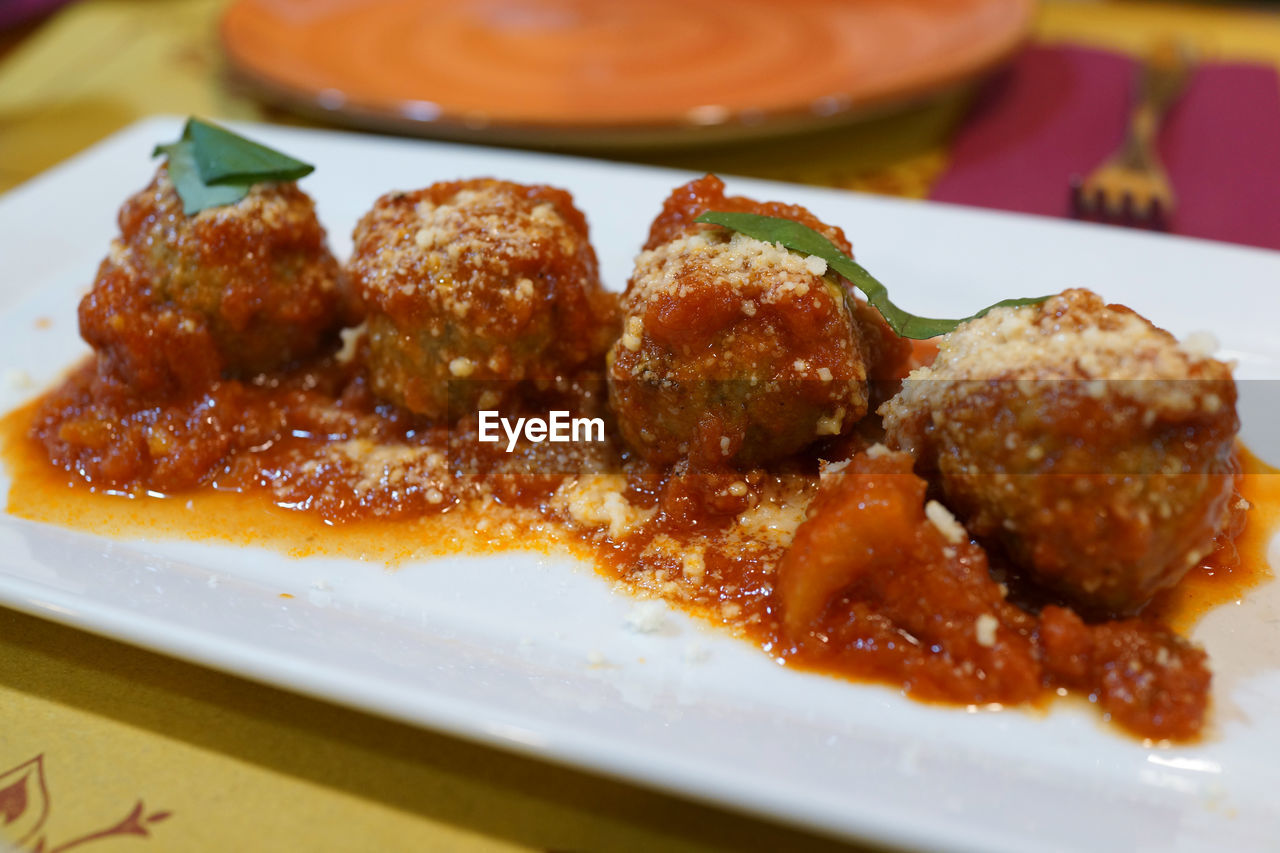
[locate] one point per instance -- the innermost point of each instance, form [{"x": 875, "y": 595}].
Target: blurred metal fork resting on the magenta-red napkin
[{"x": 1132, "y": 188}]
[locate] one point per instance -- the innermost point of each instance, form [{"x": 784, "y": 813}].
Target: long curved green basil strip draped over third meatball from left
[{"x": 801, "y": 239}]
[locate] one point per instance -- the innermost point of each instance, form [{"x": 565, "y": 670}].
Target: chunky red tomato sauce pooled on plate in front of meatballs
[{"x": 500, "y": 501}]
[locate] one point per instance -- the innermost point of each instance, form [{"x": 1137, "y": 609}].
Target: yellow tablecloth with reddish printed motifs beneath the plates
[{"x": 171, "y": 756}]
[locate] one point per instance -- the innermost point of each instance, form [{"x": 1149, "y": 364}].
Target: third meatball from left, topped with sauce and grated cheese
[{"x": 735, "y": 350}]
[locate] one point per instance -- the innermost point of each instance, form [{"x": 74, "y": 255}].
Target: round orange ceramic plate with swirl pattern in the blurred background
[{"x": 598, "y": 72}]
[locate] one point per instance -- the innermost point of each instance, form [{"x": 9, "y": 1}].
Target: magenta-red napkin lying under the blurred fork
[{"x": 1059, "y": 112}]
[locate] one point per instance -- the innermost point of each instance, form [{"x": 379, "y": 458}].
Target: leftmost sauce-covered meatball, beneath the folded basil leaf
[{"x": 231, "y": 291}]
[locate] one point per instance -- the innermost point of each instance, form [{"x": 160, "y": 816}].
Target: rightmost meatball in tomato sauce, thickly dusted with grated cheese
[{"x": 1086, "y": 441}]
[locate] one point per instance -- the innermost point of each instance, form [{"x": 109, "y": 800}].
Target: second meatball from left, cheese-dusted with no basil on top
[{"x": 482, "y": 281}]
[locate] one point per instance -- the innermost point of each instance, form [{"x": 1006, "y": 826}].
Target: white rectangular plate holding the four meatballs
[{"x": 508, "y": 650}]
